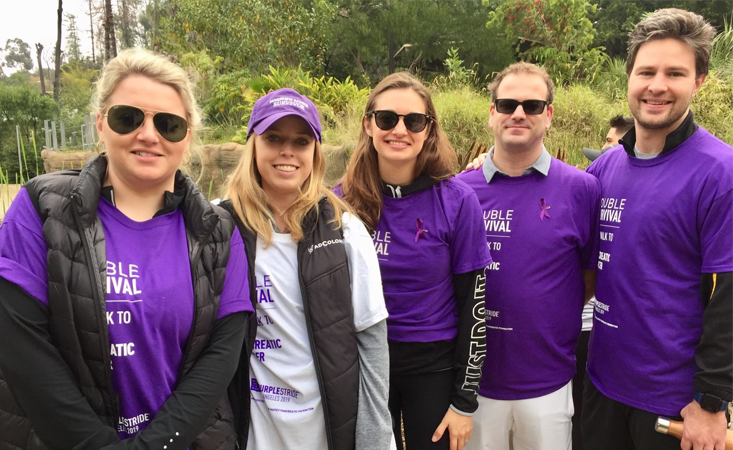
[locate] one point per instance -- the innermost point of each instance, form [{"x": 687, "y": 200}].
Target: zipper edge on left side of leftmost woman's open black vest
[{"x": 100, "y": 308}]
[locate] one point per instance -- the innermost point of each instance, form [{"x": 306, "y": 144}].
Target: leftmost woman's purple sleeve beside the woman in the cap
[{"x": 235, "y": 293}]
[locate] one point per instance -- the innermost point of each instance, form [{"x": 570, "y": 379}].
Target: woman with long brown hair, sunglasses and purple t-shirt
[{"x": 428, "y": 233}]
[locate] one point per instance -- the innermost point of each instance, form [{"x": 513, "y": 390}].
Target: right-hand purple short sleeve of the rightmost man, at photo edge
[{"x": 716, "y": 234}]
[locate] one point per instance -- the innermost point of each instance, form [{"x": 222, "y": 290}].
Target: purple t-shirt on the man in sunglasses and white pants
[{"x": 535, "y": 288}]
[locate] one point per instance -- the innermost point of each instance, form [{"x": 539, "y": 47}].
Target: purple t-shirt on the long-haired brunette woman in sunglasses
[{"x": 422, "y": 240}]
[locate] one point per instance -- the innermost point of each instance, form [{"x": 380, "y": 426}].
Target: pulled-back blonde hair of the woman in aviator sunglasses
[{"x": 138, "y": 61}]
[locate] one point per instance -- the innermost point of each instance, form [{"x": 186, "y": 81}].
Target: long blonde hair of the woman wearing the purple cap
[{"x": 244, "y": 189}]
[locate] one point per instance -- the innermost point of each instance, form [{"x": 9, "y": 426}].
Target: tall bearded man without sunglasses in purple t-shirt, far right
[{"x": 662, "y": 340}]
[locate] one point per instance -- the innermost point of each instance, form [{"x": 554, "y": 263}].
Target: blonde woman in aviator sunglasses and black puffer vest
[{"x": 119, "y": 327}]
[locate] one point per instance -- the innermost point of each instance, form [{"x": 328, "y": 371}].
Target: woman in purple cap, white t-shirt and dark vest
[{"x": 317, "y": 375}]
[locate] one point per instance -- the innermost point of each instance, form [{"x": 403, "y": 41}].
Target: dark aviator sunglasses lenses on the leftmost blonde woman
[{"x": 124, "y": 119}]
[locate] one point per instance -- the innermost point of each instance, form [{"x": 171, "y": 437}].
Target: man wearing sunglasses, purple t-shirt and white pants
[{"x": 541, "y": 218}]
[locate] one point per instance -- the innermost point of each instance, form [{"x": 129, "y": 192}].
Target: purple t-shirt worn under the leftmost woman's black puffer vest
[{"x": 149, "y": 301}]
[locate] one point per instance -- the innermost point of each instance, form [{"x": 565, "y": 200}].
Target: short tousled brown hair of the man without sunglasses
[{"x": 674, "y": 23}]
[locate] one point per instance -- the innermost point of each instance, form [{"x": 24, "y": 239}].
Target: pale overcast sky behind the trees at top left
[{"x": 35, "y": 21}]
